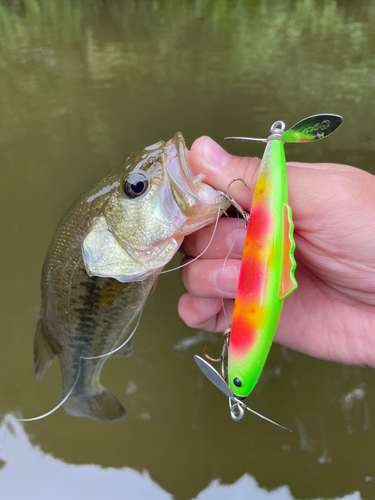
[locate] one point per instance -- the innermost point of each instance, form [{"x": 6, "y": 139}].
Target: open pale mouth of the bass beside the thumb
[{"x": 190, "y": 192}]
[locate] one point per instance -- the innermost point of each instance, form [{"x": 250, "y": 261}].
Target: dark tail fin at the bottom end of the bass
[{"x": 102, "y": 406}]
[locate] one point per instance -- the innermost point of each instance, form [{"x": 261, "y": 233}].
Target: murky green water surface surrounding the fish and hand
[{"x": 82, "y": 84}]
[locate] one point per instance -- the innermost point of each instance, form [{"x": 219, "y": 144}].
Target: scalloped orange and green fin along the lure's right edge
[{"x": 288, "y": 282}]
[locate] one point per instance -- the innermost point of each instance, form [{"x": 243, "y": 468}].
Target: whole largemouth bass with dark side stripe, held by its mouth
[{"x": 104, "y": 261}]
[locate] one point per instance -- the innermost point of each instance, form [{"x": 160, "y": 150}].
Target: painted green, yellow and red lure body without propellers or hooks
[{"x": 266, "y": 275}]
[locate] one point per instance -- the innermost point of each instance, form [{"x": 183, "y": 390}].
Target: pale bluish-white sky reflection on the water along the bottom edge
[{"x": 31, "y": 474}]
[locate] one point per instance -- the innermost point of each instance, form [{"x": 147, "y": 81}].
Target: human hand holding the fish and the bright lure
[{"x": 331, "y": 315}]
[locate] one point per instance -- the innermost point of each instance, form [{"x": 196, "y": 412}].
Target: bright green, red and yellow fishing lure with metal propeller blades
[{"x": 267, "y": 270}]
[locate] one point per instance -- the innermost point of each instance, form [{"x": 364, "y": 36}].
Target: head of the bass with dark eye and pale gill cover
[{"x": 148, "y": 204}]
